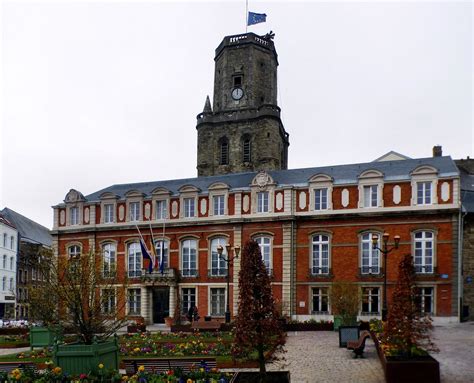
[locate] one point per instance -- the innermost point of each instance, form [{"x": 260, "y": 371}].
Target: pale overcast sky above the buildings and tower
[{"x": 98, "y": 93}]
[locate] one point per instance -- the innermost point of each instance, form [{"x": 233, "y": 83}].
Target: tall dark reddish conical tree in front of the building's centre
[{"x": 257, "y": 326}]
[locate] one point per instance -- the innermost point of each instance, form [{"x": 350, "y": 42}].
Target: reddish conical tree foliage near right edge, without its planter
[{"x": 407, "y": 330}]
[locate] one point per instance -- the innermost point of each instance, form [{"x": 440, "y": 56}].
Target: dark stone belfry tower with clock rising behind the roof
[{"x": 242, "y": 131}]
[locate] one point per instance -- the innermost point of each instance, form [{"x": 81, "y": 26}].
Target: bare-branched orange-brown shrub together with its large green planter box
[{"x": 91, "y": 303}]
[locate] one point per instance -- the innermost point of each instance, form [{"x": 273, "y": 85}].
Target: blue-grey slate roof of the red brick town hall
[{"x": 342, "y": 174}]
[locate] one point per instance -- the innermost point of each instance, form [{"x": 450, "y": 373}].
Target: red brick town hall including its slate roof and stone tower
[{"x": 315, "y": 226}]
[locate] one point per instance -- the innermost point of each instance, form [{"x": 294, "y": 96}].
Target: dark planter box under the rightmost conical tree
[{"x": 419, "y": 369}]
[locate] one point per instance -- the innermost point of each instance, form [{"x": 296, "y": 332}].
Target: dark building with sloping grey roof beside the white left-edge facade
[{"x": 33, "y": 241}]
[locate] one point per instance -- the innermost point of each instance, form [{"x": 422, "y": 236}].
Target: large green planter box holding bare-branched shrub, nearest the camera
[{"x": 81, "y": 358}]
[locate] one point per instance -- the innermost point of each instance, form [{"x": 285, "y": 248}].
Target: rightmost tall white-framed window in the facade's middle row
[{"x": 421, "y": 251}]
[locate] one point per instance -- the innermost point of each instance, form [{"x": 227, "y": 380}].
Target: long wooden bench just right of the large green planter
[{"x": 163, "y": 365}]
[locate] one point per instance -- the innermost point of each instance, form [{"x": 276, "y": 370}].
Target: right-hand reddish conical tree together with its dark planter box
[{"x": 404, "y": 340}]
